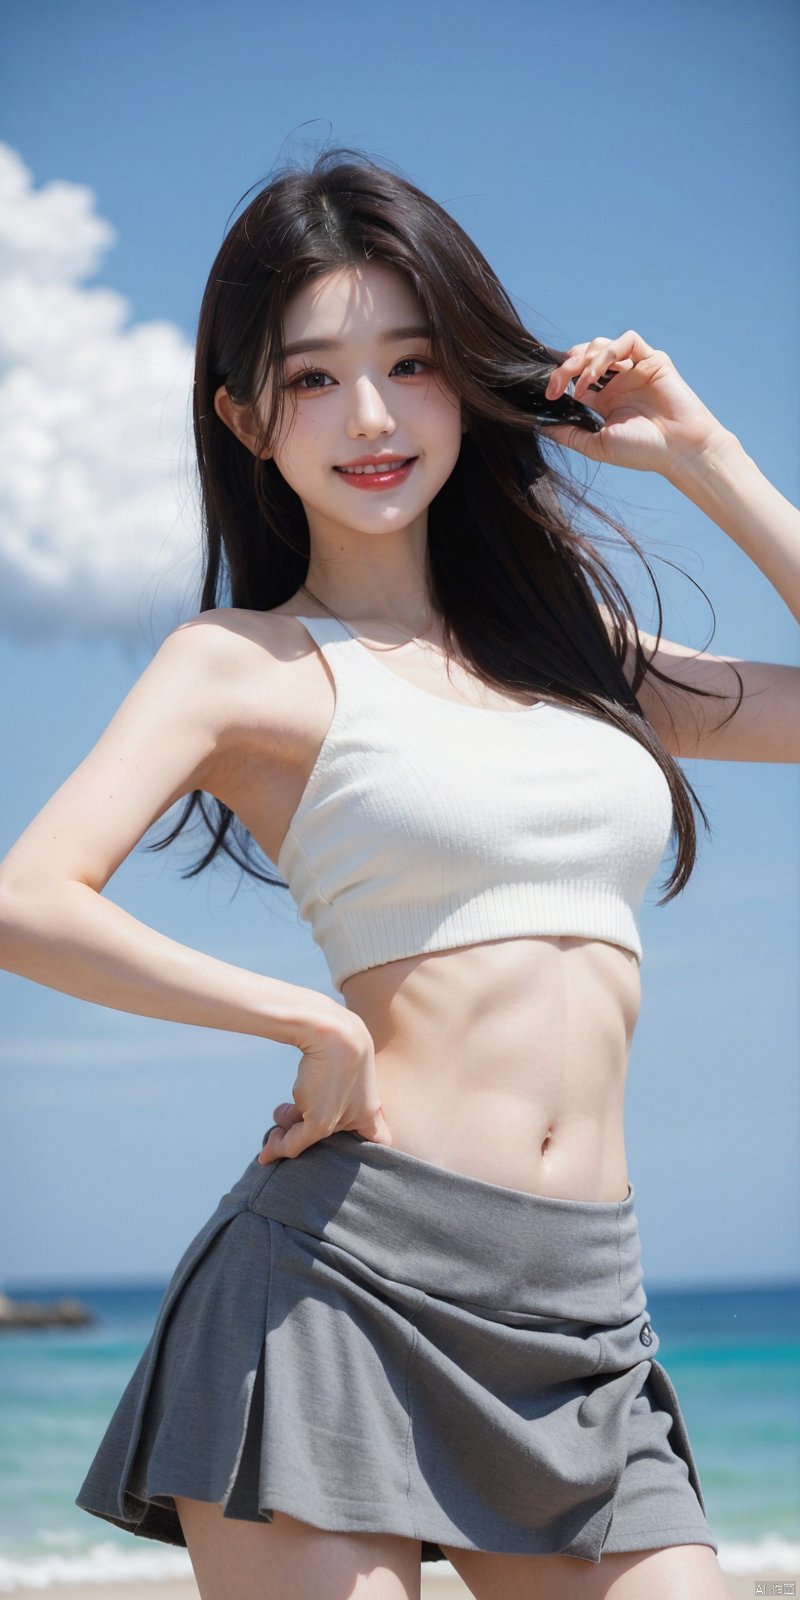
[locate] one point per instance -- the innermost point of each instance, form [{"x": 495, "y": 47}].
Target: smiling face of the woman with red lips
[{"x": 375, "y": 393}]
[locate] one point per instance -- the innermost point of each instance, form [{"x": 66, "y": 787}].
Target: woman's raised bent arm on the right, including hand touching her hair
[{"x": 655, "y": 423}]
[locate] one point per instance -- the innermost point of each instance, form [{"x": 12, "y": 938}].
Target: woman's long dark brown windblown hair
[{"x": 508, "y": 569}]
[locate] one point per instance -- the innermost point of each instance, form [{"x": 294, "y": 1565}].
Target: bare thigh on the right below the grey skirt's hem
[{"x": 673, "y": 1574}]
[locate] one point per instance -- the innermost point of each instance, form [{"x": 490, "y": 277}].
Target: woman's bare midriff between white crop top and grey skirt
[{"x": 506, "y": 1062}]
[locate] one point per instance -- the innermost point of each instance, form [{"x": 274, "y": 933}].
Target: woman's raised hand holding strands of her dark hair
[{"x": 652, "y": 420}]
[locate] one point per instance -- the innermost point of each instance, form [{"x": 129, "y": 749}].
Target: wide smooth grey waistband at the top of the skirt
[{"x": 458, "y": 1238}]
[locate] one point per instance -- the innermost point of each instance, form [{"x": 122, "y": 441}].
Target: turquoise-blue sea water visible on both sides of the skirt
[{"x": 734, "y": 1358}]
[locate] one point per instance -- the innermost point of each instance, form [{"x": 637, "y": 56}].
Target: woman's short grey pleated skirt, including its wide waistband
[{"x": 372, "y": 1343}]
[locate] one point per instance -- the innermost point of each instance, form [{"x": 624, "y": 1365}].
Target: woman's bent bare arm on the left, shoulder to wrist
[{"x": 55, "y": 926}]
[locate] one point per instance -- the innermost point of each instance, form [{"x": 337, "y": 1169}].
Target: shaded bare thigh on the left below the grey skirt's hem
[{"x": 270, "y": 1561}]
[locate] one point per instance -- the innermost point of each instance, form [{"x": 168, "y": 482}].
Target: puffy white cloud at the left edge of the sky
[{"x": 100, "y": 526}]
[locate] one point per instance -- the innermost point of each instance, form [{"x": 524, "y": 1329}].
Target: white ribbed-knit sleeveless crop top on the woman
[{"x": 430, "y": 825}]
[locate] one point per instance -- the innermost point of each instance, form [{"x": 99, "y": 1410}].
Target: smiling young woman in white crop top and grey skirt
[{"x": 417, "y": 1326}]
